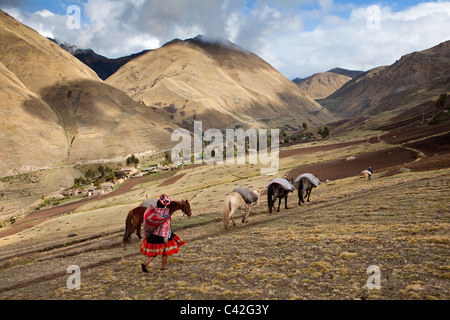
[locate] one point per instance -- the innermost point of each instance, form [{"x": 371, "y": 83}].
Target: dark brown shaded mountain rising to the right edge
[{"x": 414, "y": 79}]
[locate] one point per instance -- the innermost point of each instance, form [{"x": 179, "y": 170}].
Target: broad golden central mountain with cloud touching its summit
[{"x": 217, "y": 82}]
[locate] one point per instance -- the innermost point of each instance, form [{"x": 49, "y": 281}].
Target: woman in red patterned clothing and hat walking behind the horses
[{"x": 159, "y": 241}]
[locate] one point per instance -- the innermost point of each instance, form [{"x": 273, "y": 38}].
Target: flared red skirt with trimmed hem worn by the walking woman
[{"x": 153, "y": 246}]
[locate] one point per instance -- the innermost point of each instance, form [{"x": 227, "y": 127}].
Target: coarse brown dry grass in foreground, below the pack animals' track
[{"x": 319, "y": 251}]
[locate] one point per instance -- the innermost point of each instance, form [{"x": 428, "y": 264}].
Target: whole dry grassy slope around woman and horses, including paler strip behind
[{"x": 320, "y": 250}]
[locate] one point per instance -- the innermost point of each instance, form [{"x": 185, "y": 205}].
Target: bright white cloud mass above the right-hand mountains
[{"x": 350, "y": 43}]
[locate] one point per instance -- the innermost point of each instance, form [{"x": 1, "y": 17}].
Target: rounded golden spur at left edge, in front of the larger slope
[{"x": 28, "y": 127}]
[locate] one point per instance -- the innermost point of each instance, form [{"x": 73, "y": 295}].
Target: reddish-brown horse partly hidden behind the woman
[{"x": 135, "y": 217}]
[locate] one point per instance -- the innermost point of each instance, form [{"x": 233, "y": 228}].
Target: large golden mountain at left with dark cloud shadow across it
[{"x": 57, "y": 111}]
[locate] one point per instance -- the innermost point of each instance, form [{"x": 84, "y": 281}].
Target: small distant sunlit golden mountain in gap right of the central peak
[{"x": 321, "y": 85}]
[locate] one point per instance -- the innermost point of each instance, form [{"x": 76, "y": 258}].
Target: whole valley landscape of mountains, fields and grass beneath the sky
[{"x": 67, "y": 134}]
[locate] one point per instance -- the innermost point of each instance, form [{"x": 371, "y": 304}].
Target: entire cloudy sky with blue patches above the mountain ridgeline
[{"x": 297, "y": 37}]
